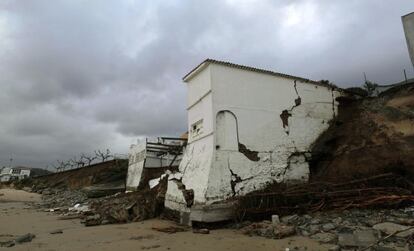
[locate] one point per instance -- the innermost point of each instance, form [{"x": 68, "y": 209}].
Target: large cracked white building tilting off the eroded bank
[{"x": 248, "y": 128}]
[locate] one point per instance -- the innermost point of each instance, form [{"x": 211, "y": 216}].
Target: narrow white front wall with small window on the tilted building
[{"x": 197, "y": 158}]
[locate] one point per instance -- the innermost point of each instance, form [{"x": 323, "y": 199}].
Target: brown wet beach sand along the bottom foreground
[{"x": 17, "y": 217}]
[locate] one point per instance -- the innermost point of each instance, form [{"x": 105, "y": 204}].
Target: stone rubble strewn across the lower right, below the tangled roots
[{"x": 389, "y": 229}]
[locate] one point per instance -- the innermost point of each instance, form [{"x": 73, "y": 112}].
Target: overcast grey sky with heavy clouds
[{"x": 82, "y": 75}]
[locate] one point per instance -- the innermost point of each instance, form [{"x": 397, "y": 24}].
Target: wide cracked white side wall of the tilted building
[{"x": 257, "y": 100}]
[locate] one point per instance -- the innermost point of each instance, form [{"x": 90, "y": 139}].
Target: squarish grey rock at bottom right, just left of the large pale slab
[{"x": 359, "y": 238}]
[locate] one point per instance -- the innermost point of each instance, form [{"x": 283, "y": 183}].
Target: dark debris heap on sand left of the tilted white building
[{"x": 117, "y": 208}]
